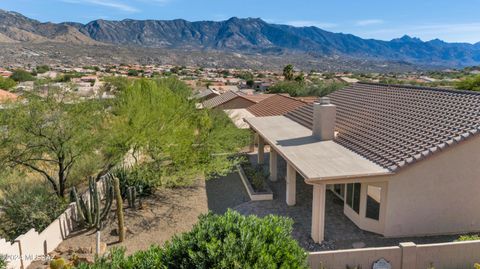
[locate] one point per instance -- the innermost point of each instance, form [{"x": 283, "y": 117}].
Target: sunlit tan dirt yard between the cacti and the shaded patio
[{"x": 166, "y": 213}]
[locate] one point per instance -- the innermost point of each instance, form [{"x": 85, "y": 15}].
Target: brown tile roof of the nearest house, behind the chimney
[{"x": 394, "y": 126}]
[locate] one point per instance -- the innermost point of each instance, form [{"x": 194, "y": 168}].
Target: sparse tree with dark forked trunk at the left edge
[{"x": 50, "y": 136}]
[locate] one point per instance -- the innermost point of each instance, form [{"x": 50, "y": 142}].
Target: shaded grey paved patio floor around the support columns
[{"x": 340, "y": 231}]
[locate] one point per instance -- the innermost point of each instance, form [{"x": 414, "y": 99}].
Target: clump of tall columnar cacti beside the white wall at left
[{"x": 89, "y": 206}]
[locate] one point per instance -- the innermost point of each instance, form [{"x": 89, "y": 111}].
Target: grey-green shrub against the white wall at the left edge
[{"x": 26, "y": 207}]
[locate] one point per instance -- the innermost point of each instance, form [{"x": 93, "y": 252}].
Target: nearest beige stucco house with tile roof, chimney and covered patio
[{"x": 405, "y": 160}]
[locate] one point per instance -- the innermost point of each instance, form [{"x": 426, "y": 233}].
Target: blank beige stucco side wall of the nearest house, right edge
[{"x": 438, "y": 195}]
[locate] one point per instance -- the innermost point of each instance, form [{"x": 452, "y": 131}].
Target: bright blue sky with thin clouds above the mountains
[{"x": 454, "y": 21}]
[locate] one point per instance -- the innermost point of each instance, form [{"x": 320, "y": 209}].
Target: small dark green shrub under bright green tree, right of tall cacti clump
[{"x": 137, "y": 177}]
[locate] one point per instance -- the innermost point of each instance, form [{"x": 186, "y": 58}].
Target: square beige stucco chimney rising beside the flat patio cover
[{"x": 324, "y": 114}]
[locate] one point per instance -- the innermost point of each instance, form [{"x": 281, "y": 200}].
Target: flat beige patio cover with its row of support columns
[{"x": 309, "y": 159}]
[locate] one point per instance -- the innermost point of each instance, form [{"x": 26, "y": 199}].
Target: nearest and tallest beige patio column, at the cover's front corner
[{"x": 318, "y": 212}]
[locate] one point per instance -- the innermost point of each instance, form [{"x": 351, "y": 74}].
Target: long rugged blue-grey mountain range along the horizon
[{"x": 250, "y": 36}]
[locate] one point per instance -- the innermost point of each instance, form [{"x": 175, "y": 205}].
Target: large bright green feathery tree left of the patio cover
[{"x": 156, "y": 124}]
